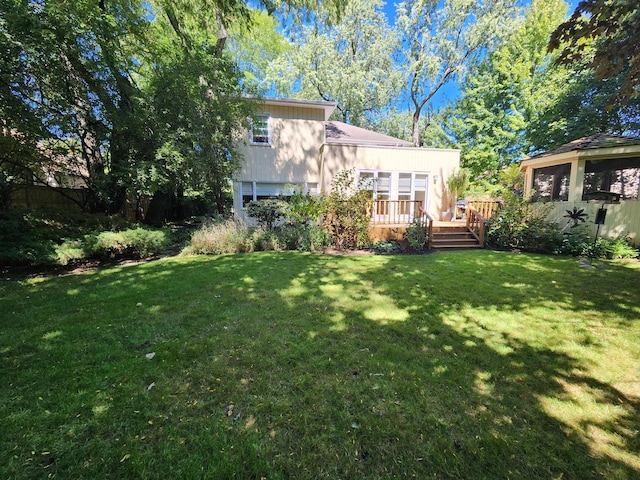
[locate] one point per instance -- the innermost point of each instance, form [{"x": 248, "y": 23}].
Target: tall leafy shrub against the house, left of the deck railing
[{"x": 348, "y": 211}]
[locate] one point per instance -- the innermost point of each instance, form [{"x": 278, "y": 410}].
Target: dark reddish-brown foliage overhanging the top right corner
[{"x": 615, "y": 24}]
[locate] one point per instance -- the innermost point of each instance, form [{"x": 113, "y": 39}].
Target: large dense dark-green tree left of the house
[{"x": 144, "y": 88}]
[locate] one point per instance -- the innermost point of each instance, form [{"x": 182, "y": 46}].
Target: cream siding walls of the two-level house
[{"x": 297, "y": 154}]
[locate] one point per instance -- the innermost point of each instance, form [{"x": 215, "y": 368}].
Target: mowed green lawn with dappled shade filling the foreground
[{"x": 298, "y": 366}]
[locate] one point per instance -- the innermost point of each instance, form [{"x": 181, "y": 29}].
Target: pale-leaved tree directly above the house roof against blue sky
[{"x": 349, "y": 62}]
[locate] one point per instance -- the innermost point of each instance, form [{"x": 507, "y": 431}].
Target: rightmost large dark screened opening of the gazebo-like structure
[{"x": 620, "y": 176}]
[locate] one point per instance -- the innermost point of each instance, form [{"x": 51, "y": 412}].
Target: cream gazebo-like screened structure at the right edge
[{"x": 586, "y": 172}]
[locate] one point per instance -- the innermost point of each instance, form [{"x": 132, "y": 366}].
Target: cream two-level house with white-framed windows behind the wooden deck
[{"x": 293, "y": 143}]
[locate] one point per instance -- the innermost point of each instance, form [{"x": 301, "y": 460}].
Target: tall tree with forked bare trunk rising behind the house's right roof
[{"x": 440, "y": 39}]
